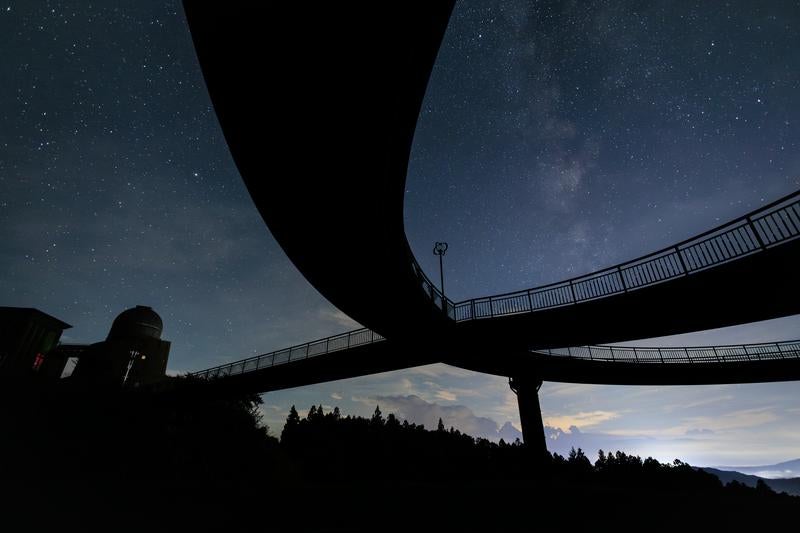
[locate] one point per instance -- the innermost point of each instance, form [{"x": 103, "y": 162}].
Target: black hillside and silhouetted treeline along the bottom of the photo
[{"x": 193, "y": 461}]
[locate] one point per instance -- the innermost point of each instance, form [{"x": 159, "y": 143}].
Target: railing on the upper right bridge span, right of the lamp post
[{"x": 769, "y": 226}]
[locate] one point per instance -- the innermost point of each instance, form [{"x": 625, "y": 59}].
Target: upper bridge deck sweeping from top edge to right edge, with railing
[{"x": 330, "y": 188}]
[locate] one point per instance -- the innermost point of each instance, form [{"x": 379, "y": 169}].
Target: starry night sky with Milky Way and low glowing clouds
[{"x": 556, "y": 138}]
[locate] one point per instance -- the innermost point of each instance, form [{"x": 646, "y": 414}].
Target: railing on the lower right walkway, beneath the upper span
[{"x": 696, "y": 354}]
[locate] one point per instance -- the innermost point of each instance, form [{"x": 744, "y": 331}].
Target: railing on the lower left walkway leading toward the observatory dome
[{"x": 334, "y": 343}]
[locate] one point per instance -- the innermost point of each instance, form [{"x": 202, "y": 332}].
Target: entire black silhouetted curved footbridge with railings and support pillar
[{"x": 329, "y": 184}]
